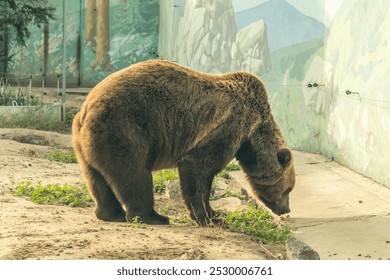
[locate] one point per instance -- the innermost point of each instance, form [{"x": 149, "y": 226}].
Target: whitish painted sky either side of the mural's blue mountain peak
[{"x": 322, "y": 10}]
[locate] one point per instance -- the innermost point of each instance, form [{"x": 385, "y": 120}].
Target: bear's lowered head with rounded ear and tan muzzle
[{"x": 270, "y": 170}]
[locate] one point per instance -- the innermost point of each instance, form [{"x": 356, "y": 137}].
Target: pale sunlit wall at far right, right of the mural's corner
[{"x": 356, "y": 128}]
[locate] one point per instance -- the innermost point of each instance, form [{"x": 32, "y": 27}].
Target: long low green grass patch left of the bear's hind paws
[{"x": 55, "y": 194}]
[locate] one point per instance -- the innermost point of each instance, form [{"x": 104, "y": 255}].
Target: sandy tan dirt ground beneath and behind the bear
[{"x": 32, "y": 231}]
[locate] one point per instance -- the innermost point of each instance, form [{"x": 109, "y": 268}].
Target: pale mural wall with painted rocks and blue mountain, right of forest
[{"x": 310, "y": 54}]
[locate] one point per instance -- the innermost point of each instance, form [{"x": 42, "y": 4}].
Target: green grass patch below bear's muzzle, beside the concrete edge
[{"x": 258, "y": 223}]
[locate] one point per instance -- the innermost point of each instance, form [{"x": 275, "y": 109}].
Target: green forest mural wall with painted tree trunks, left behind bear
[{"x": 103, "y": 36}]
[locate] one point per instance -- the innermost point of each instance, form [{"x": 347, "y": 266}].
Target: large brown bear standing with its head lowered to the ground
[{"x": 157, "y": 114}]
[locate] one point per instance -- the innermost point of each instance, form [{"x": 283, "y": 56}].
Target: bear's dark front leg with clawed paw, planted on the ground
[{"x": 196, "y": 186}]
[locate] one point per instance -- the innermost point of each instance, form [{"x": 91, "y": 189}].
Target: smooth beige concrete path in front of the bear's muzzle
[{"x": 339, "y": 213}]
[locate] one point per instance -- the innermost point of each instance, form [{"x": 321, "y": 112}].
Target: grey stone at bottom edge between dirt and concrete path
[{"x": 298, "y": 250}]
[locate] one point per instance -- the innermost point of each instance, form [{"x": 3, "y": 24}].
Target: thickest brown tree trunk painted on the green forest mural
[{"x": 103, "y": 37}]
